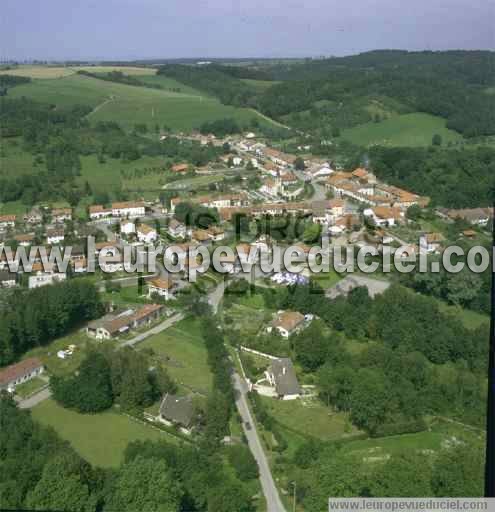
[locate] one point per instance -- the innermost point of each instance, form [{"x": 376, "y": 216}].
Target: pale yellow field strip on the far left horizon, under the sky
[{"x": 51, "y": 72}]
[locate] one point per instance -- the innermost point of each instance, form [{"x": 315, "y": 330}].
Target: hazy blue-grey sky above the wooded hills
[{"x": 124, "y": 29}]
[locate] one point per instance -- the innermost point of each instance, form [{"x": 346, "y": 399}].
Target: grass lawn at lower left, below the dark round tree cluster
[{"x": 99, "y": 438}]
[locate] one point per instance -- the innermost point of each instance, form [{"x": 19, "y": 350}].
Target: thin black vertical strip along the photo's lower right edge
[{"x": 490, "y": 410}]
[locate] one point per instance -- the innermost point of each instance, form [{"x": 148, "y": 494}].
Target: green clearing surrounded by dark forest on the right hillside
[{"x": 405, "y": 130}]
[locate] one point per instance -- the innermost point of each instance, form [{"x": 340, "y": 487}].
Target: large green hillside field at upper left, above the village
[{"x": 129, "y": 105}]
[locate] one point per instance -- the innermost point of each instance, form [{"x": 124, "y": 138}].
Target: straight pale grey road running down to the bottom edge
[{"x": 273, "y": 501}]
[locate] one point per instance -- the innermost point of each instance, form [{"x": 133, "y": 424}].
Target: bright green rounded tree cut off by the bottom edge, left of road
[{"x": 148, "y": 485}]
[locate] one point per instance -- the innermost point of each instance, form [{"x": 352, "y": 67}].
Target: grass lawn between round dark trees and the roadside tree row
[{"x": 184, "y": 355}]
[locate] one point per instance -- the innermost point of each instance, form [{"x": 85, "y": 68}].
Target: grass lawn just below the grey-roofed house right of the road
[{"x": 311, "y": 417}]
